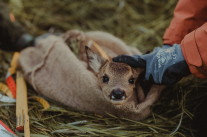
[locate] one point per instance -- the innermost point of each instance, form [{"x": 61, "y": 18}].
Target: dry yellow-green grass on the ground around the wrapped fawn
[{"x": 139, "y": 23}]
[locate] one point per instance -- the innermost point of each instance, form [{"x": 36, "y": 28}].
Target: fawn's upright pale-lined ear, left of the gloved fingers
[{"x": 95, "y": 61}]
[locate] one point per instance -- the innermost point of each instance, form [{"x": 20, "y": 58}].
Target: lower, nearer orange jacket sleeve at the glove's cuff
[{"x": 194, "y": 49}]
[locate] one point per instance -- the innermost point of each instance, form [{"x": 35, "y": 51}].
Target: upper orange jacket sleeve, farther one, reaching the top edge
[{"x": 188, "y": 16}]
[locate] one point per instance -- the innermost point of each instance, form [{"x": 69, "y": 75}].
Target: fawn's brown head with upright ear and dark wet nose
[{"x": 117, "y": 80}]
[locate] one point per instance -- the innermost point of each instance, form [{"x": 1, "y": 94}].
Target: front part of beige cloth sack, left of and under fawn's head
[{"x": 55, "y": 72}]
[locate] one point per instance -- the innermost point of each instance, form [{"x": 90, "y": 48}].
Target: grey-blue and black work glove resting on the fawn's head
[{"x": 164, "y": 66}]
